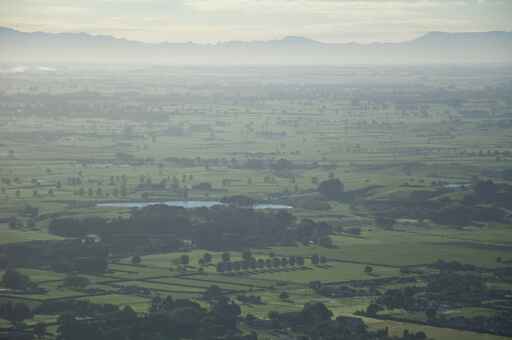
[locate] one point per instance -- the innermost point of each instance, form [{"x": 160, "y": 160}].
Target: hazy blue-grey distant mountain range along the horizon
[{"x": 435, "y": 47}]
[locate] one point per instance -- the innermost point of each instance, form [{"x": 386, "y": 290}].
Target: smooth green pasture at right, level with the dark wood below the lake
[{"x": 398, "y": 248}]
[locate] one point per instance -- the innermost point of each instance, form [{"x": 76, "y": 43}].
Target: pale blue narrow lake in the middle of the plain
[{"x": 186, "y": 205}]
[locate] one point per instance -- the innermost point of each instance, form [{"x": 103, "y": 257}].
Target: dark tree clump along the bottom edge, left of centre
[{"x": 167, "y": 319}]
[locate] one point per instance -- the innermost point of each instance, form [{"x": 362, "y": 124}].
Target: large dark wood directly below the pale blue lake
[{"x": 217, "y": 228}]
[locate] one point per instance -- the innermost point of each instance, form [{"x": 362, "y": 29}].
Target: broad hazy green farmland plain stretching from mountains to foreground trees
[{"x": 417, "y": 150}]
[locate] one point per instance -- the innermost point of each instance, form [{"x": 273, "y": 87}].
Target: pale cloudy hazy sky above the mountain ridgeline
[{"x": 222, "y": 20}]
